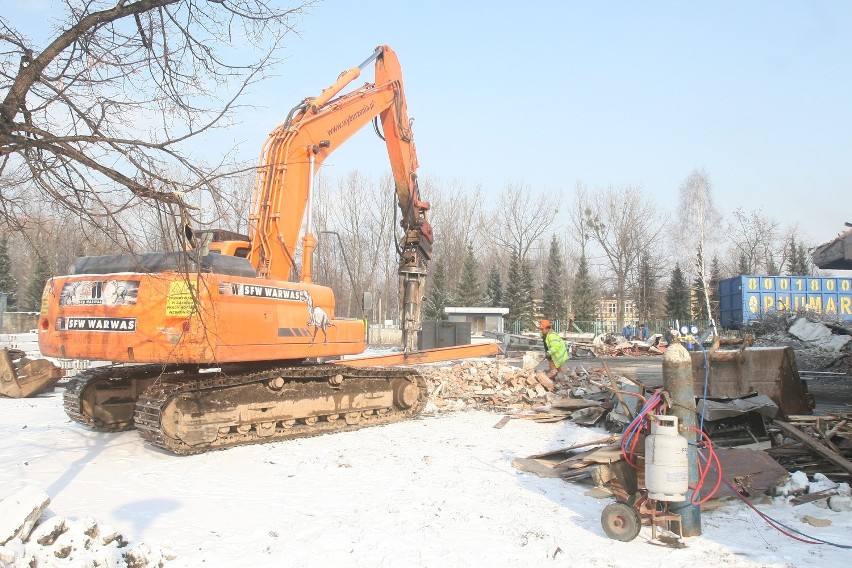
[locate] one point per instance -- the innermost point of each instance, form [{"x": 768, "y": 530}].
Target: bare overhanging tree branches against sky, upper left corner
[{"x": 98, "y": 119}]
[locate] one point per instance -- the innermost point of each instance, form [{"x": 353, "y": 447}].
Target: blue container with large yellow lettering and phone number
[{"x": 746, "y": 298}]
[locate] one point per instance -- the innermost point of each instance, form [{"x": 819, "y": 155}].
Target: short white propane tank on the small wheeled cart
[{"x": 666, "y": 461}]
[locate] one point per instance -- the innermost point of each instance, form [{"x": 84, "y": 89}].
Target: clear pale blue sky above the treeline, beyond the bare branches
[{"x": 758, "y": 93}]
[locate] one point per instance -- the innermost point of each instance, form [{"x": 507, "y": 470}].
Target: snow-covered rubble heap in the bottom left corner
[{"x": 30, "y": 536}]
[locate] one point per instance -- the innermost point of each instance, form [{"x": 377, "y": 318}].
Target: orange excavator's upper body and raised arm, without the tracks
[{"x": 195, "y": 315}]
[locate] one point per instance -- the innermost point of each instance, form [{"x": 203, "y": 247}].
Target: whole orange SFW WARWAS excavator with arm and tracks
[{"x": 214, "y": 346}]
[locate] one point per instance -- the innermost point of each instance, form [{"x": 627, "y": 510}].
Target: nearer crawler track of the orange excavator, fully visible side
[{"x": 204, "y": 411}]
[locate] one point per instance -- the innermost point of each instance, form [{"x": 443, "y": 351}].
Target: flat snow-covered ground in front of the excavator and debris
[{"x": 436, "y": 491}]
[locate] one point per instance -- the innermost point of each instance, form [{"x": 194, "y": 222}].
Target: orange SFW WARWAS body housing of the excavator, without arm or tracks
[{"x": 204, "y": 319}]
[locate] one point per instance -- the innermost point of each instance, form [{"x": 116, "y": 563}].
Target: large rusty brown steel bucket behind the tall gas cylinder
[{"x": 771, "y": 371}]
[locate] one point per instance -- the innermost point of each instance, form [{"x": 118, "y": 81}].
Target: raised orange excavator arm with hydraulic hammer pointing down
[{"x": 297, "y": 148}]
